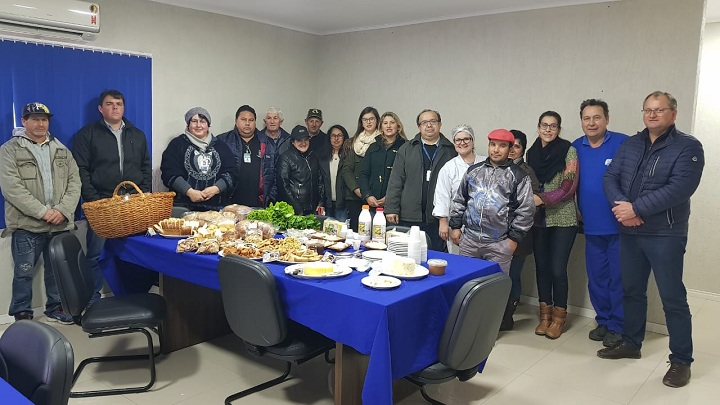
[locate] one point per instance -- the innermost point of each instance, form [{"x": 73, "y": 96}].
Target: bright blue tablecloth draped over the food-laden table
[{"x": 399, "y": 329}]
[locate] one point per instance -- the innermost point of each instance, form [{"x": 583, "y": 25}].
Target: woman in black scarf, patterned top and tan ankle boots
[{"x": 555, "y": 164}]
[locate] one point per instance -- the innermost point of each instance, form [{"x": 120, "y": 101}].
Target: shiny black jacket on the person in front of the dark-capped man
[{"x": 299, "y": 181}]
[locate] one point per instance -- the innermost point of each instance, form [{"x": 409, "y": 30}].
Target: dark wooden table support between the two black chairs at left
[{"x": 195, "y": 314}]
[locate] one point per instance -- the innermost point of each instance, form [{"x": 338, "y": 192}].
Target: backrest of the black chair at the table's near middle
[{"x": 251, "y": 301}]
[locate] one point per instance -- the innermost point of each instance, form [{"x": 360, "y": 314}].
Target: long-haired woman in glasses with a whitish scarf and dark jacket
[{"x": 356, "y": 147}]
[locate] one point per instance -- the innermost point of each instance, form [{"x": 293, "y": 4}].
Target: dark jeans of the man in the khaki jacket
[{"x": 26, "y": 250}]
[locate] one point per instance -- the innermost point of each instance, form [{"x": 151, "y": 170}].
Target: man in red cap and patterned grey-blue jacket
[{"x": 494, "y": 206}]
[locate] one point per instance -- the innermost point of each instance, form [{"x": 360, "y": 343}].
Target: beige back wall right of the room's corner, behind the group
[{"x": 504, "y": 70}]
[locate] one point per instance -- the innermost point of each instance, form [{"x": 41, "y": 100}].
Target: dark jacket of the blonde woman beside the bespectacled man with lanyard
[{"x": 376, "y": 166}]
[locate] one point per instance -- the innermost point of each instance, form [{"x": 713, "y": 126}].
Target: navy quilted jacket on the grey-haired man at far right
[{"x": 672, "y": 174}]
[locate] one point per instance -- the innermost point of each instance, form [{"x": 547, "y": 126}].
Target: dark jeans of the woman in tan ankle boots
[{"x": 551, "y": 247}]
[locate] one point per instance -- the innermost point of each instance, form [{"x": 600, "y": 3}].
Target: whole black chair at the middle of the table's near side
[{"x": 255, "y": 313}]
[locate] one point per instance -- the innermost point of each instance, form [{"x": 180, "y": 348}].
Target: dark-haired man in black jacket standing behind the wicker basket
[{"x": 108, "y": 152}]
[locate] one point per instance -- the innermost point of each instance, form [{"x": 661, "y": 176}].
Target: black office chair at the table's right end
[{"x": 469, "y": 334}]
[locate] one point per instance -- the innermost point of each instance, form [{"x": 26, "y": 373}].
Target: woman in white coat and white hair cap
[{"x": 449, "y": 178}]
